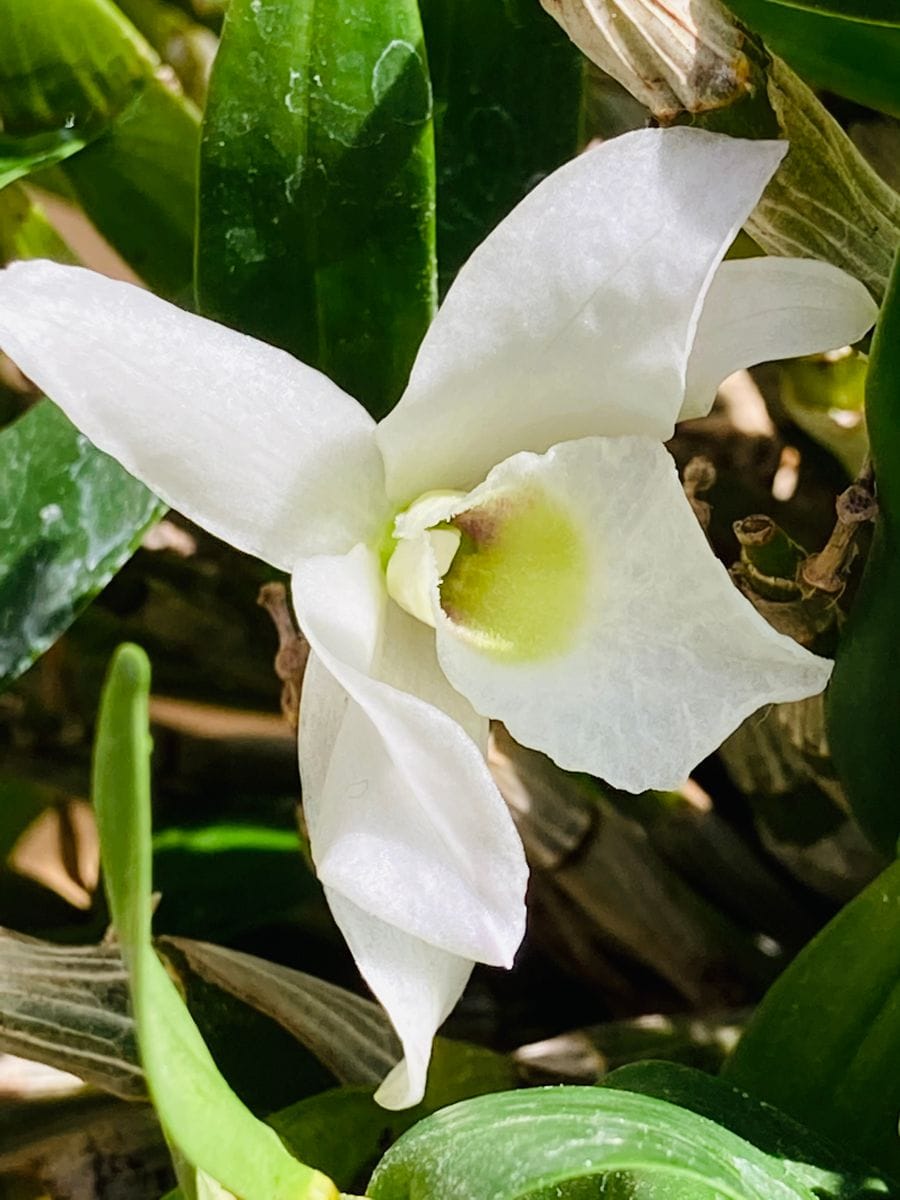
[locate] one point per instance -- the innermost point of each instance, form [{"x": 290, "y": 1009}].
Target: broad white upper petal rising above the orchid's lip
[{"x": 578, "y": 314}]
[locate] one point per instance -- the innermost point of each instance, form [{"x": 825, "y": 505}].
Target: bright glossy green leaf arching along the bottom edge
[{"x": 551, "y": 1141}]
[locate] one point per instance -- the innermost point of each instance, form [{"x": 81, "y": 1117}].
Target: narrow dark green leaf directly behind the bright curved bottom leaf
[{"x": 814, "y": 1161}]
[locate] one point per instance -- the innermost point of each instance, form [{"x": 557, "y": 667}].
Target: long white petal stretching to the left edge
[{"x": 251, "y": 445}]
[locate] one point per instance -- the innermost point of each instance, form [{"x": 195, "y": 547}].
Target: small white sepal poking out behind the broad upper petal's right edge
[{"x": 759, "y": 310}]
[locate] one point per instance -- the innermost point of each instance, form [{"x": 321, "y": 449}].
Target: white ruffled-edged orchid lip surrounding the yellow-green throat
[{"x": 667, "y": 658}]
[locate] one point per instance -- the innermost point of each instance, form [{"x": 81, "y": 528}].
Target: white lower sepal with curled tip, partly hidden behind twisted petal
[{"x": 417, "y": 983}]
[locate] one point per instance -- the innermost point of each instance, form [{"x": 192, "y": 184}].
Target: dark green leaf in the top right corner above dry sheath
[{"x": 851, "y": 58}]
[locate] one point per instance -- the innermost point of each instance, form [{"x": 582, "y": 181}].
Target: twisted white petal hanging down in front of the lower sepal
[{"x": 409, "y": 825}]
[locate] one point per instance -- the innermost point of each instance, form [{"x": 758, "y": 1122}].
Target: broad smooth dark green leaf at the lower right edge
[{"x": 825, "y": 1042}]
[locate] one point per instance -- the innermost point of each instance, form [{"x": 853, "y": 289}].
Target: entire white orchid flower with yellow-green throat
[{"x": 511, "y": 542}]
